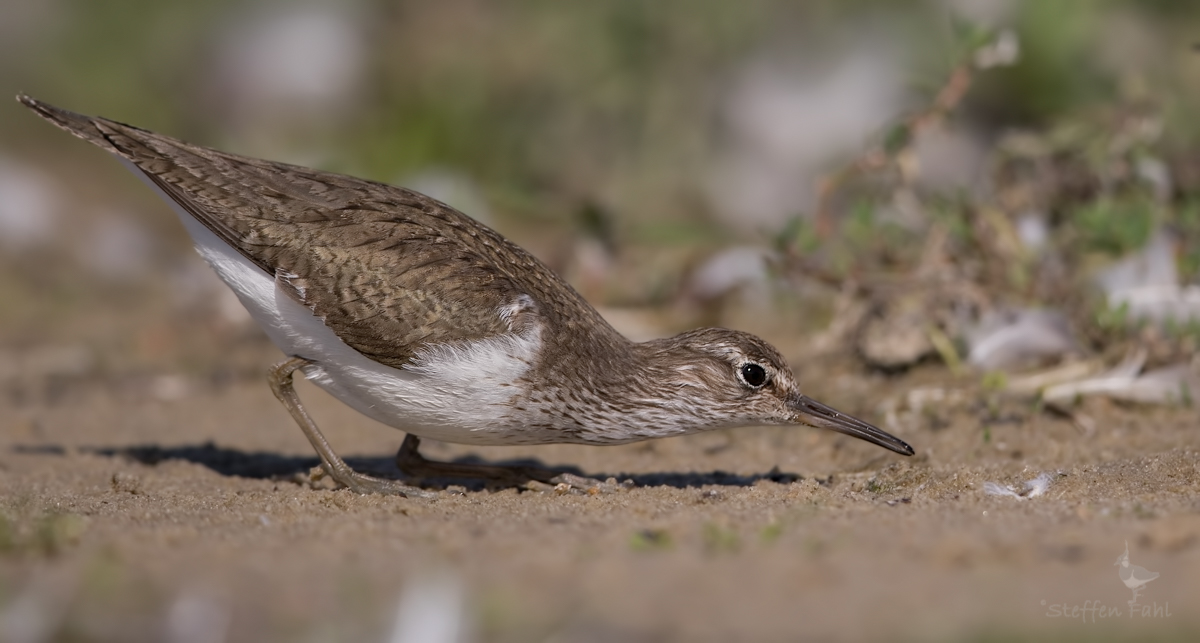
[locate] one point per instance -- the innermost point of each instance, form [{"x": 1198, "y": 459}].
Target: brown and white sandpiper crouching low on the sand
[{"x": 430, "y": 322}]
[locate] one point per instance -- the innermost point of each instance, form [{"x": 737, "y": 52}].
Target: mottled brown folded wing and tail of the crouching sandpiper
[{"x": 382, "y": 266}]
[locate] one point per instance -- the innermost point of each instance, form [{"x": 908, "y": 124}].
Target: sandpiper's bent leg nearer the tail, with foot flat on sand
[{"x": 280, "y": 377}]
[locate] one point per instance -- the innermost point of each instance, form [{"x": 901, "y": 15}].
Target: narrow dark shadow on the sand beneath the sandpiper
[{"x": 268, "y": 466}]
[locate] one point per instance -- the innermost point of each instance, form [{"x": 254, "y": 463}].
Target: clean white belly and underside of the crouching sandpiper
[{"x": 458, "y": 394}]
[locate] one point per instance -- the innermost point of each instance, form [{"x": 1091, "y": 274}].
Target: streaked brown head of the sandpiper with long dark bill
[{"x": 734, "y": 378}]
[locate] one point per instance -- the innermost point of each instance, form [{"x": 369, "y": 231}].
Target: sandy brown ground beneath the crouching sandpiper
[{"x": 166, "y": 508}]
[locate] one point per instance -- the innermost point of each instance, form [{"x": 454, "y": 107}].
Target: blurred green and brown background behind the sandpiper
[{"x": 623, "y": 142}]
